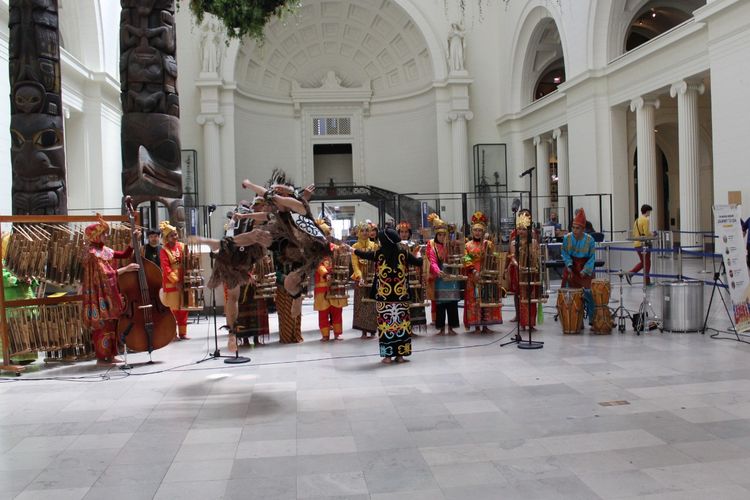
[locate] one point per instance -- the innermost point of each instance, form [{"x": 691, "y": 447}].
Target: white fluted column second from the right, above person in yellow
[{"x": 646, "y": 139}]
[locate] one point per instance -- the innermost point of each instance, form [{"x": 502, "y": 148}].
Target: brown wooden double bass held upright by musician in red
[{"x": 146, "y": 323}]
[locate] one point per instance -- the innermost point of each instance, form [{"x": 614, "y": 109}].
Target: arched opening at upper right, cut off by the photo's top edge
[{"x": 657, "y": 17}]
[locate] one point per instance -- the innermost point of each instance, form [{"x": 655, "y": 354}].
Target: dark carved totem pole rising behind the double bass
[{"x": 150, "y": 130}]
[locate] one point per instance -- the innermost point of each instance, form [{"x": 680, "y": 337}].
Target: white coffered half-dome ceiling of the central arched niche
[{"x": 363, "y": 41}]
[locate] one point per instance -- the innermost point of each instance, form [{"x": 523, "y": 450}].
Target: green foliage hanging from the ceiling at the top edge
[{"x": 242, "y": 18}]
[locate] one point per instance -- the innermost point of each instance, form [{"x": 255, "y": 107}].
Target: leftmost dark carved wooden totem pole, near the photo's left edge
[{"x": 36, "y": 124}]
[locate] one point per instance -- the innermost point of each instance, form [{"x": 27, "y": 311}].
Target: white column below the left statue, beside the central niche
[{"x": 212, "y": 178}]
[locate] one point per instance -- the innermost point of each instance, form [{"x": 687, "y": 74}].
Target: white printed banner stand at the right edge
[{"x": 731, "y": 245}]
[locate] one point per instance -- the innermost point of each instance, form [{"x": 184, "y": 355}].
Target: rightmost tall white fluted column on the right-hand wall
[{"x": 690, "y": 187}]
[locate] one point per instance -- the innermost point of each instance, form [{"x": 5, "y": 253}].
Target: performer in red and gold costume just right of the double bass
[{"x": 172, "y": 258}]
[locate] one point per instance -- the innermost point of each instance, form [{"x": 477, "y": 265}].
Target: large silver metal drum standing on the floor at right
[{"x": 682, "y": 306}]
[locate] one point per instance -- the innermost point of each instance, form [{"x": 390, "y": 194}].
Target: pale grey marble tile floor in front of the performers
[{"x": 657, "y": 416}]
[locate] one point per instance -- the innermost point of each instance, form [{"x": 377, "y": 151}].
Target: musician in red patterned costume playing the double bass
[{"x": 102, "y": 303}]
